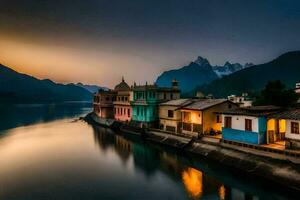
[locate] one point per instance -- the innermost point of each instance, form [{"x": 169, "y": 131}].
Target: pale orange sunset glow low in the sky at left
[{"x": 77, "y": 63}]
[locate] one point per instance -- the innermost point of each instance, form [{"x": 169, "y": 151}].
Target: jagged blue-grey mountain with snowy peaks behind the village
[{"x": 197, "y": 73}]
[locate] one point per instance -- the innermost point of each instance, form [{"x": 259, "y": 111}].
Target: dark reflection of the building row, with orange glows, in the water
[{"x": 150, "y": 160}]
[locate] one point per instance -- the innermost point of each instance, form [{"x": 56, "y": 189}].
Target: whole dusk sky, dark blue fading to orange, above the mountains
[{"x": 99, "y": 41}]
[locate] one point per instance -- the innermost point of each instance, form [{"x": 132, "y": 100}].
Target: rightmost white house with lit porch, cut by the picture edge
[{"x": 287, "y": 124}]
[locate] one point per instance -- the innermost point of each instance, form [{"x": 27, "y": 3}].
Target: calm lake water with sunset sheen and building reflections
[{"x": 51, "y": 155}]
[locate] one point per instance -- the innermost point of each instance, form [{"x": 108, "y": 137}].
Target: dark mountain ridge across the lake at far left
[{"x": 22, "y": 88}]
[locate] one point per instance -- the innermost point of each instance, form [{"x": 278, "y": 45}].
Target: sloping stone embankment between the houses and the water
[{"x": 282, "y": 170}]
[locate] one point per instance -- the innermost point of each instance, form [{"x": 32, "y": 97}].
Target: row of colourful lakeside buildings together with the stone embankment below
[{"x": 263, "y": 141}]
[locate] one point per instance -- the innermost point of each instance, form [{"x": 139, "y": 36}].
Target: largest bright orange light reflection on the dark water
[{"x": 192, "y": 180}]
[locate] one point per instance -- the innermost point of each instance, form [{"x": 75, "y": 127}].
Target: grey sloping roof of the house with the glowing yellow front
[{"x": 202, "y": 104}]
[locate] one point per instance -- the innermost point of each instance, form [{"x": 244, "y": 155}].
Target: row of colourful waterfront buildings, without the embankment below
[{"x": 229, "y": 120}]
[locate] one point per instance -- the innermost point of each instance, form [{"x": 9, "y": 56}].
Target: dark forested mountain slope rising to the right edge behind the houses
[{"x": 252, "y": 79}]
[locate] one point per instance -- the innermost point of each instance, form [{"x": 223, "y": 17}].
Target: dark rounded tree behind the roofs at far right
[{"x": 275, "y": 93}]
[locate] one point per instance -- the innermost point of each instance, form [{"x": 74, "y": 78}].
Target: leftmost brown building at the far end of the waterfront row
[{"x": 103, "y": 103}]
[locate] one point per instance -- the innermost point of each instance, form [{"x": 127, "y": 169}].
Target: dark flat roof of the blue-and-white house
[{"x": 256, "y": 111}]
